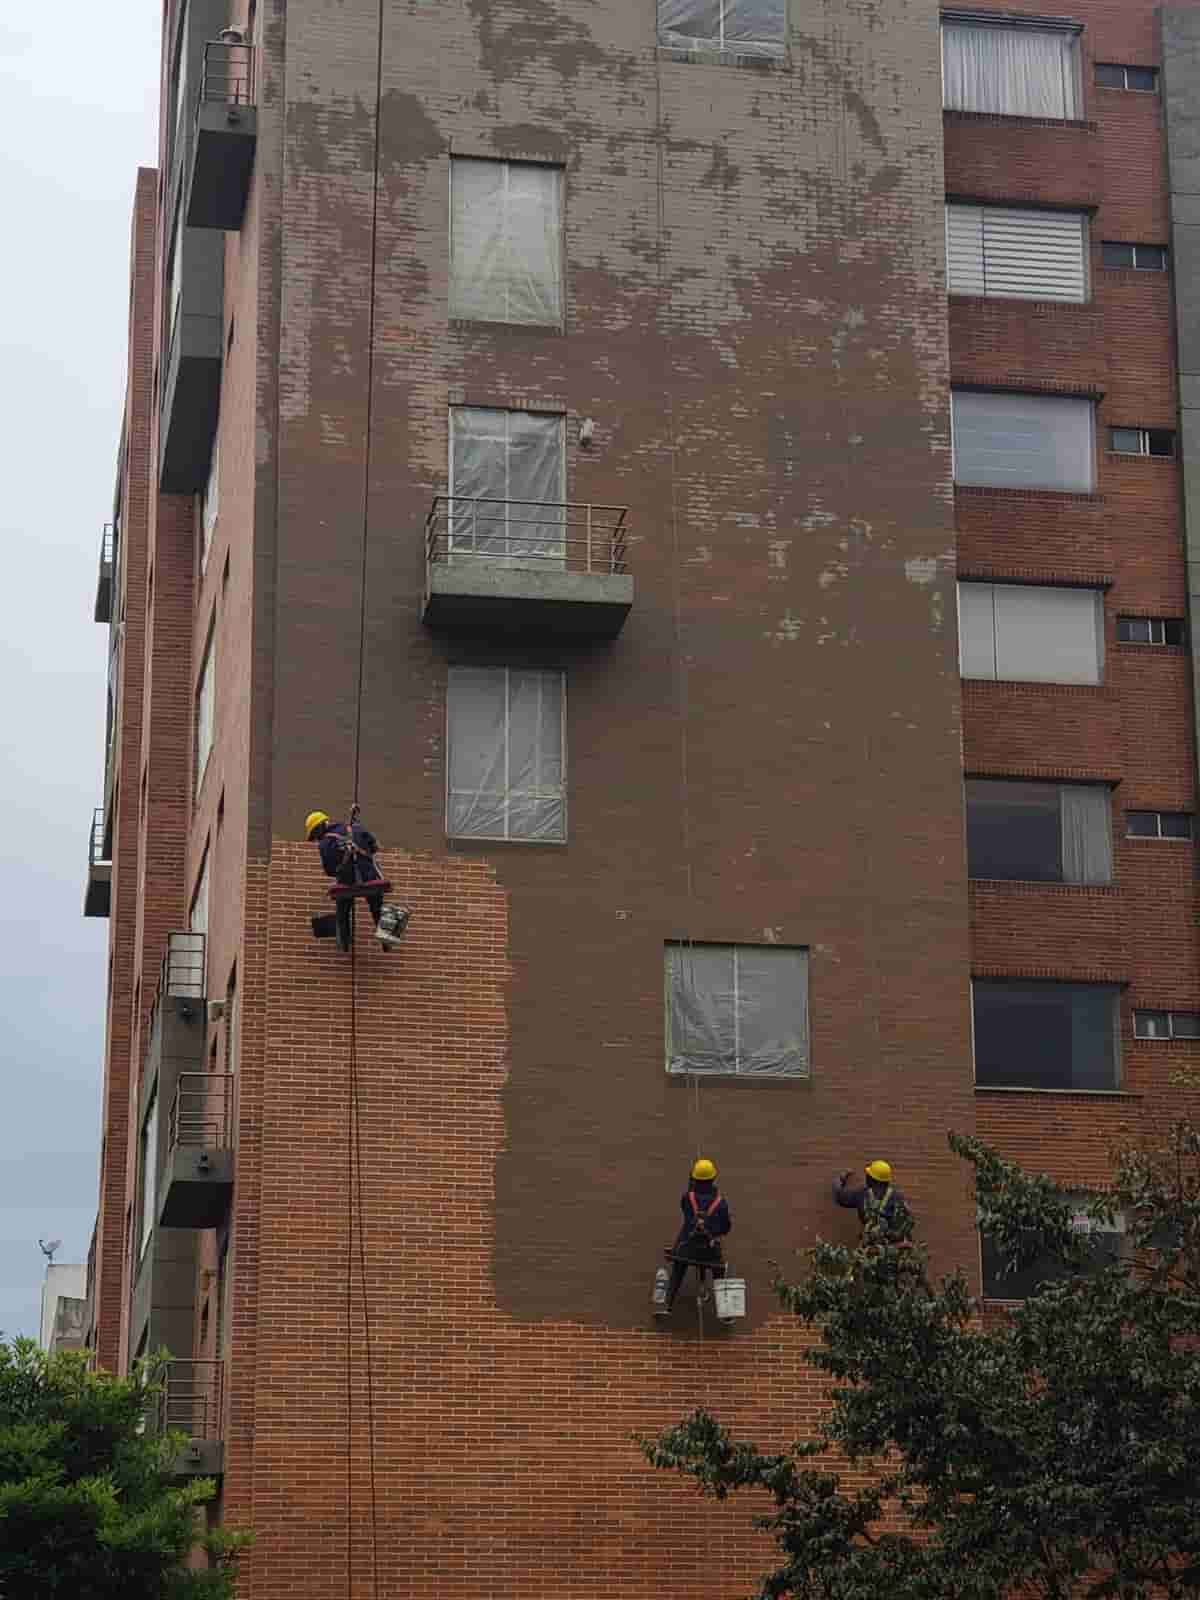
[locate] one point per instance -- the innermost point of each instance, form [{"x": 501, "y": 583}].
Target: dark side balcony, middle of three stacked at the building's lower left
[{"x": 199, "y": 1177}]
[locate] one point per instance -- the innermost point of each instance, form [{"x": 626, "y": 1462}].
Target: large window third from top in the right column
[{"x": 1022, "y": 441}]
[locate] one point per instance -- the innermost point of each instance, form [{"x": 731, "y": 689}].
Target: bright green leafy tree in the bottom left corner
[{"x": 89, "y": 1503}]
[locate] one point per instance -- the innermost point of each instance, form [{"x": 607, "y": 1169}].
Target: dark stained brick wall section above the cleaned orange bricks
[{"x": 770, "y": 753}]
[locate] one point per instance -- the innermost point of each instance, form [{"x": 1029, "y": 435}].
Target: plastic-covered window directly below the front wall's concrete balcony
[{"x": 506, "y": 770}]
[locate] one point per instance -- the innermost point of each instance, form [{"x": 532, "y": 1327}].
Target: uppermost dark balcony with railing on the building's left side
[{"x": 226, "y": 130}]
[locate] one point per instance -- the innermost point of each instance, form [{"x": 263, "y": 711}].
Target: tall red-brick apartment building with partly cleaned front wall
[{"x": 396, "y": 1215}]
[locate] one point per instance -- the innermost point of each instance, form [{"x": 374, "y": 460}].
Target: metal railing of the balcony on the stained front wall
[{"x": 532, "y": 535}]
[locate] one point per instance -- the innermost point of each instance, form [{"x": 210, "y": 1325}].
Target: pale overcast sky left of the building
[{"x": 78, "y": 118}]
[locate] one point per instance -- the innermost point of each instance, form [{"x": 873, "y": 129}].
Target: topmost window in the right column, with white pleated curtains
[{"x": 1010, "y": 71}]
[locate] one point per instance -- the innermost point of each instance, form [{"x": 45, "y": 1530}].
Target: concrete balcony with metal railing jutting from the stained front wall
[{"x": 527, "y": 567}]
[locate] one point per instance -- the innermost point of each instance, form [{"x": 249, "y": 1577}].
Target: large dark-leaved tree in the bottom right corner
[{"x": 1050, "y": 1452}]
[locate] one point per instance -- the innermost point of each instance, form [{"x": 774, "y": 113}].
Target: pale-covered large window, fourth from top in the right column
[{"x": 1031, "y": 634}]
